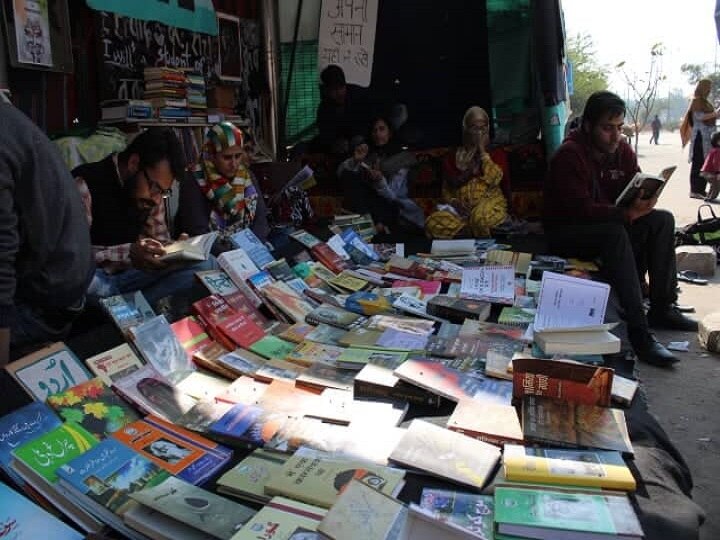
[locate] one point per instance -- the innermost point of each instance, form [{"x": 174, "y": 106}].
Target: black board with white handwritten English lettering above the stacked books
[{"x": 129, "y": 45}]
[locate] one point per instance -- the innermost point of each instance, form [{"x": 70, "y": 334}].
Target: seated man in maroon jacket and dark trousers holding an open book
[{"x": 585, "y": 177}]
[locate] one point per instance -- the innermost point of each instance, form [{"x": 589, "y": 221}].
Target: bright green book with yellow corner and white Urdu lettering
[{"x": 48, "y": 452}]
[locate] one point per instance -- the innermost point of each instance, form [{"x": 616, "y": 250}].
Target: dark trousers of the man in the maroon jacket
[{"x": 626, "y": 252}]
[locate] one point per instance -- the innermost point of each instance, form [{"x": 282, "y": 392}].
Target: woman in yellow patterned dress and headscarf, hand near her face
[{"x": 474, "y": 201}]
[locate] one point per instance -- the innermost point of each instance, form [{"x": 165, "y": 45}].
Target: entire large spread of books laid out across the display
[{"x": 274, "y": 410}]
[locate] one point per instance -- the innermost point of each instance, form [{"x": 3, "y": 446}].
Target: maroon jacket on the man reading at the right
[{"x": 580, "y": 189}]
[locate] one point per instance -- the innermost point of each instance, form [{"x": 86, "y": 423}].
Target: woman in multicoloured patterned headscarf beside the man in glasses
[{"x": 233, "y": 200}]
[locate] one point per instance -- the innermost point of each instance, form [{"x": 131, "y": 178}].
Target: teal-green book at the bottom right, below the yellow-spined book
[{"x": 546, "y": 514}]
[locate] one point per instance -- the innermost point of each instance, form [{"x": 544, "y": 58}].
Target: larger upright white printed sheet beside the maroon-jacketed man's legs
[{"x": 570, "y": 302}]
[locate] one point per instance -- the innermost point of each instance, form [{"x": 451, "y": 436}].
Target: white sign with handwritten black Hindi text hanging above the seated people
[{"x": 347, "y": 37}]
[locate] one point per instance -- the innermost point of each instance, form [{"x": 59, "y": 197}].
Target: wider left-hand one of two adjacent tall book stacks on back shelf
[{"x": 166, "y": 89}]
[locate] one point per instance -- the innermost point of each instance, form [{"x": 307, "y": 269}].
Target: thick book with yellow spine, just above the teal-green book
[{"x": 585, "y": 468}]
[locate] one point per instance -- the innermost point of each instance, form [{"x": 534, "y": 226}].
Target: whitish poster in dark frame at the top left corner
[{"x": 32, "y": 32}]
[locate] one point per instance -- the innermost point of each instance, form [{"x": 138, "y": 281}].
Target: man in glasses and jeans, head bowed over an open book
[{"x": 125, "y": 202}]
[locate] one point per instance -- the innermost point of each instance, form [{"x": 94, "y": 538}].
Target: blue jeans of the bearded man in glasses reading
[{"x": 154, "y": 285}]
